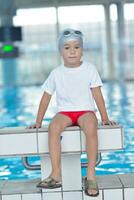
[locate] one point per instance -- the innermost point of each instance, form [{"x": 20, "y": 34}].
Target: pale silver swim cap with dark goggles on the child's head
[{"x": 70, "y": 35}]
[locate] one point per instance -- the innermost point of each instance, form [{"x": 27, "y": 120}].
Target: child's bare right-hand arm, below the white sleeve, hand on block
[{"x": 98, "y": 97}]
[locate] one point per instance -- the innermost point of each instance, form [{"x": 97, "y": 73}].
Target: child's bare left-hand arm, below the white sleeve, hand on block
[{"x": 42, "y": 110}]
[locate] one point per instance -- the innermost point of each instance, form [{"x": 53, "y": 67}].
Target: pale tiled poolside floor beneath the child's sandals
[{"x": 119, "y": 187}]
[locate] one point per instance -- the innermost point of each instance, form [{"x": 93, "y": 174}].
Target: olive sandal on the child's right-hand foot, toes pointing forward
[{"x": 91, "y": 185}]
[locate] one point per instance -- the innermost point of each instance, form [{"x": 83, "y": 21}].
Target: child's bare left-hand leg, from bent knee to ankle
[{"x": 58, "y": 124}]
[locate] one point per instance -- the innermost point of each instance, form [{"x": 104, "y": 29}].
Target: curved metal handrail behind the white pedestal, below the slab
[{"x": 28, "y": 166}]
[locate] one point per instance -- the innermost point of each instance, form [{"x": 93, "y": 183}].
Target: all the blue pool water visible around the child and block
[{"x": 18, "y": 107}]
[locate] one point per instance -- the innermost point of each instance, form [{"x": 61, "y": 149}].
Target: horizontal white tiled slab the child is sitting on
[{"x": 21, "y": 141}]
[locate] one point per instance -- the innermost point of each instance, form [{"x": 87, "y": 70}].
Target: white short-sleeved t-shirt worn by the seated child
[{"x": 73, "y": 86}]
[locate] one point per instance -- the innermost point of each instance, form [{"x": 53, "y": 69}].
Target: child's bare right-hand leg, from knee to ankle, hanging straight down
[{"x": 88, "y": 123}]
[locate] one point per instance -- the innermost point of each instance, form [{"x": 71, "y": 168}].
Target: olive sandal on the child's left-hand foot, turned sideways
[{"x": 49, "y": 183}]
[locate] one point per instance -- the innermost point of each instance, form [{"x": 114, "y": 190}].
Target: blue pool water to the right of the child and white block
[{"x": 119, "y": 98}]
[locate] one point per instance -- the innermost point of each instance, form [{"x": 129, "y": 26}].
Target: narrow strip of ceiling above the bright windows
[{"x": 8, "y": 7}]
